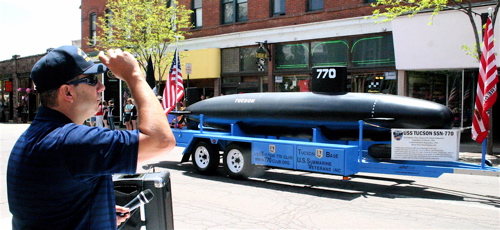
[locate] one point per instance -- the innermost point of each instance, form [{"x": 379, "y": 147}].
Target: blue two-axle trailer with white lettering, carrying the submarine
[{"x": 242, "y": 153}]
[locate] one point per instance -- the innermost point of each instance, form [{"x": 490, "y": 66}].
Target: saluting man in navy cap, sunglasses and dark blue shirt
[{"x": 59, "y": 171}]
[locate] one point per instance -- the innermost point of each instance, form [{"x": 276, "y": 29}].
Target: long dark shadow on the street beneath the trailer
[{"x": 332, "y": 186}]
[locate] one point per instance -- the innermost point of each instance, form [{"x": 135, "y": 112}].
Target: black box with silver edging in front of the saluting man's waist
[{"x": 158, "y": 213}]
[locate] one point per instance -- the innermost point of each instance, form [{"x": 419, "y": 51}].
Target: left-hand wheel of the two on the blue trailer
[{"x": 205, "y": 158}]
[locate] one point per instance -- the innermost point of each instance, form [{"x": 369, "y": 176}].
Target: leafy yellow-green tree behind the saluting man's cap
[{"x": 145, "y": 28}]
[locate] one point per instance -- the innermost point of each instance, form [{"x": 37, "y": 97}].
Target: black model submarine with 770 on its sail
[{"x": 335, "y": 112}]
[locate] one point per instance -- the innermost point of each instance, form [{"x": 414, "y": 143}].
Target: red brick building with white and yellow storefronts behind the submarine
[{"x": 240, "y": 46}]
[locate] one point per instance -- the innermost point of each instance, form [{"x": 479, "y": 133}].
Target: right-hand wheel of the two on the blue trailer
[{"x": 237, "y": 161}]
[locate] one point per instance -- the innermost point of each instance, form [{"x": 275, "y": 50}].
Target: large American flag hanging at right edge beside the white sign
[{"x": 486, "y": 86}]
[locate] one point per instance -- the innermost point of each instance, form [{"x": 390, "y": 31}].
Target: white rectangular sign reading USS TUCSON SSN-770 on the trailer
[{"x": 425, "y": 144}]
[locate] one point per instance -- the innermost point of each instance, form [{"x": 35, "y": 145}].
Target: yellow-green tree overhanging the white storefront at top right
[{"x": 391, "y": 9}]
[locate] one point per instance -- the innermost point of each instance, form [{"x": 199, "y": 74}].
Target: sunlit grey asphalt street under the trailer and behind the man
[{"x": 281, "y": 199}]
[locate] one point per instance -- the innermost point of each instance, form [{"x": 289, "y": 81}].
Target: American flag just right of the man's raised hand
[{"x": 174, "y": 88}]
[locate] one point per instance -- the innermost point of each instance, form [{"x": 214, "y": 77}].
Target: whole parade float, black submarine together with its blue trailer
[{"x": 322, "y": 131}]
